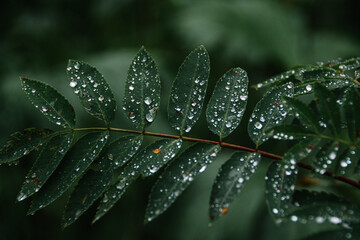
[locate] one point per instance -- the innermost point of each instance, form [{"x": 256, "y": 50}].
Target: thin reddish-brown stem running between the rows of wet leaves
[{"x": 225, "y": 145}]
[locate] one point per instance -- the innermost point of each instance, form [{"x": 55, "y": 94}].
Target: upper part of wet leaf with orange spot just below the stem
[{"x": 149, "y": 160}]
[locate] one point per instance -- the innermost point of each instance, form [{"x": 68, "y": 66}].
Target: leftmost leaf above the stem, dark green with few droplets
[{"x": 50, "y": 102}]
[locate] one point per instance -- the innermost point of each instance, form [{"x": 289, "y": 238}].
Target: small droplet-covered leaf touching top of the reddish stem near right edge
[{"x": 326, "y": 157}]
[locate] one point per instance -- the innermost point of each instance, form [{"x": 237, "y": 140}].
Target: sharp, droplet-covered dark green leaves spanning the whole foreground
[{"x": 324, "y": 134}]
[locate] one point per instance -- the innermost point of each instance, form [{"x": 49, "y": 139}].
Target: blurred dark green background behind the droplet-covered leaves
[{"x": 263, "y": 37}]
